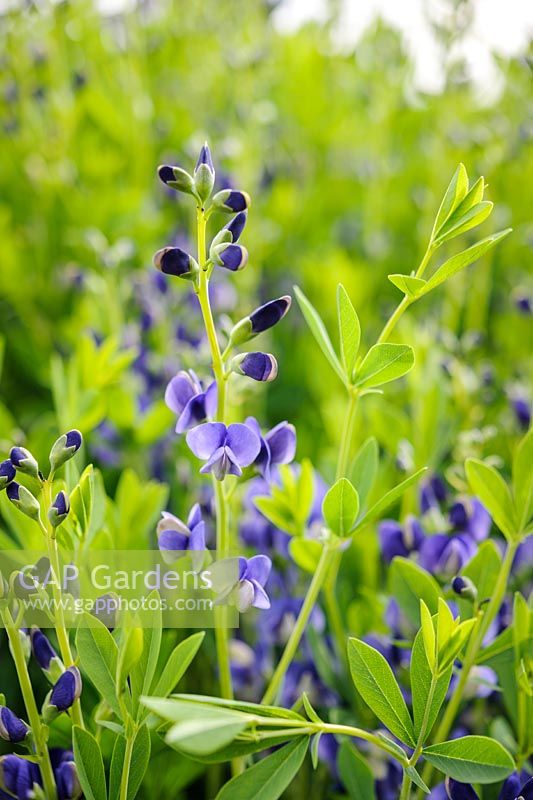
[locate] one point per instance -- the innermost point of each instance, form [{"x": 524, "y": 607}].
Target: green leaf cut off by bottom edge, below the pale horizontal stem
[{"x": 268, "y": 779}]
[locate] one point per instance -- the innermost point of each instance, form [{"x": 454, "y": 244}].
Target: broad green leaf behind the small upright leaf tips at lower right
[{"x": 410, "y": 583}]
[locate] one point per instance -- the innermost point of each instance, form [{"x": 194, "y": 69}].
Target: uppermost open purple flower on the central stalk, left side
[{"x": 186, "y": 396}]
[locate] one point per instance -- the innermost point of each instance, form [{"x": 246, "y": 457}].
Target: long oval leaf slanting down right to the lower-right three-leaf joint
[{"x": 375, "y": 682}]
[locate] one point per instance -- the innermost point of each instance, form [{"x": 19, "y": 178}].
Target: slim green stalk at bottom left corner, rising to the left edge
[{"x": 34, "y": 719}]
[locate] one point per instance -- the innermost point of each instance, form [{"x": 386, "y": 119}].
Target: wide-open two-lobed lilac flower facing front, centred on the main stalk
[{"x": 226, "y": 450}]
